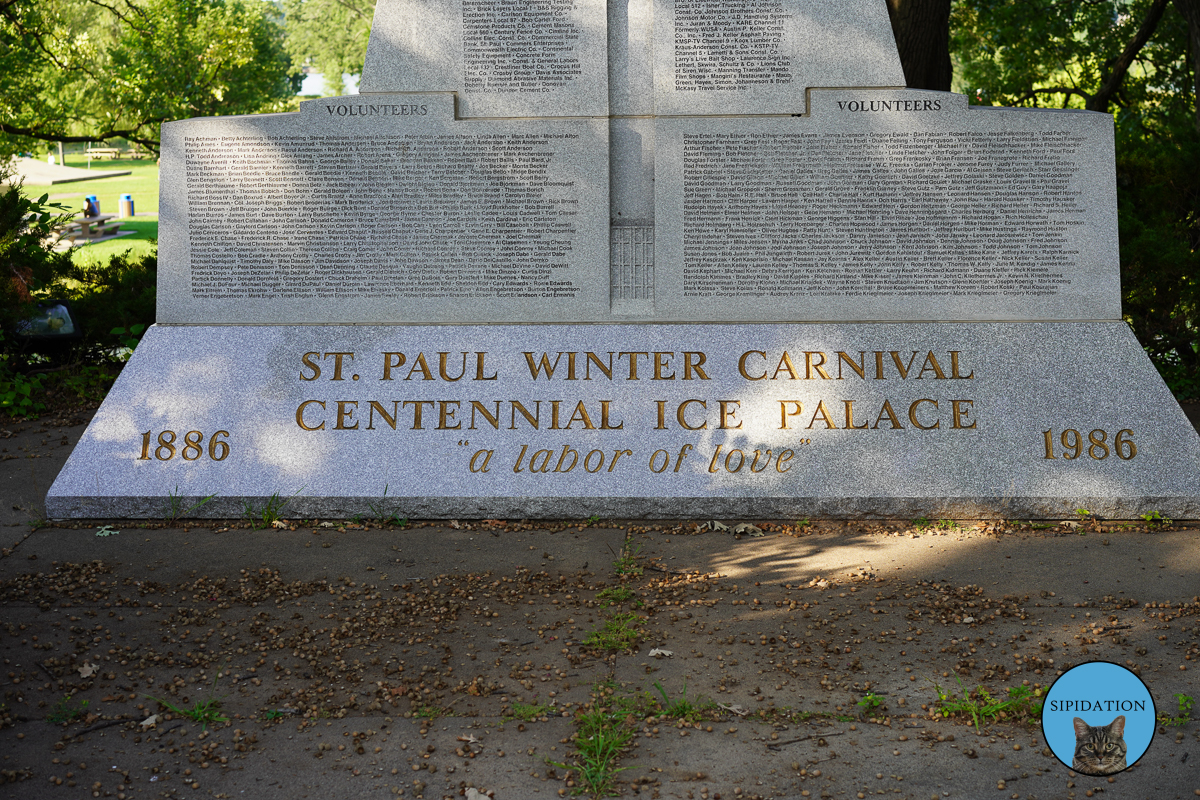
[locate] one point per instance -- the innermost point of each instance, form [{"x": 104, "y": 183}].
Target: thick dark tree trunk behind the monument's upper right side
[{"x": 923, "y": 37}]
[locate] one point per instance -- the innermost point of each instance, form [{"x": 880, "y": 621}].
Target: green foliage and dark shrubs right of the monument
[{"x": 1138, "y": 61}]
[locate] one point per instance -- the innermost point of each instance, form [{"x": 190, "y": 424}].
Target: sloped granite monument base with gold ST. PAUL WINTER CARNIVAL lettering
[{"x": 968, "y": 420}]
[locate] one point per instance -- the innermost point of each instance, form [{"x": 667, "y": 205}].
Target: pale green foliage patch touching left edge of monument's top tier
[{"x": 331, "y": 37}]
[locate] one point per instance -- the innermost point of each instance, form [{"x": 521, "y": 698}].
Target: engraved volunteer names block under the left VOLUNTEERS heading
[{"x": 383, "y": 216}]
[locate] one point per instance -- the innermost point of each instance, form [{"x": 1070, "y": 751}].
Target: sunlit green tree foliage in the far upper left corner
[{"x": 88, "y": 70}]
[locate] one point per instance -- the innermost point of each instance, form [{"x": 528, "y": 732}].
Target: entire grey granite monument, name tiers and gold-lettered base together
[{"x": 640, "y": 258}]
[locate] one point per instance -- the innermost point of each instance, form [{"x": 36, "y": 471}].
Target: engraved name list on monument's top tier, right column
[{"x": 722, "y": 46}]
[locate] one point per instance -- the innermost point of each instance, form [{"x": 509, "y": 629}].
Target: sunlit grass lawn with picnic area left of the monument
[{"x": 142, "y": 184}]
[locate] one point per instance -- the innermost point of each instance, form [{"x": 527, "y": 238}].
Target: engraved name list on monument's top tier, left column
[{"x": 519, "y": 46}]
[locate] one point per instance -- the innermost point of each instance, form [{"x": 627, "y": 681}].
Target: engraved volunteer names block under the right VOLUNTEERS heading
[{"x": 879, "y": 214}]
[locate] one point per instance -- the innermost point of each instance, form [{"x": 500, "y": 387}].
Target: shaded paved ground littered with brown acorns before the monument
[{"x": 341, "y": 659}]
